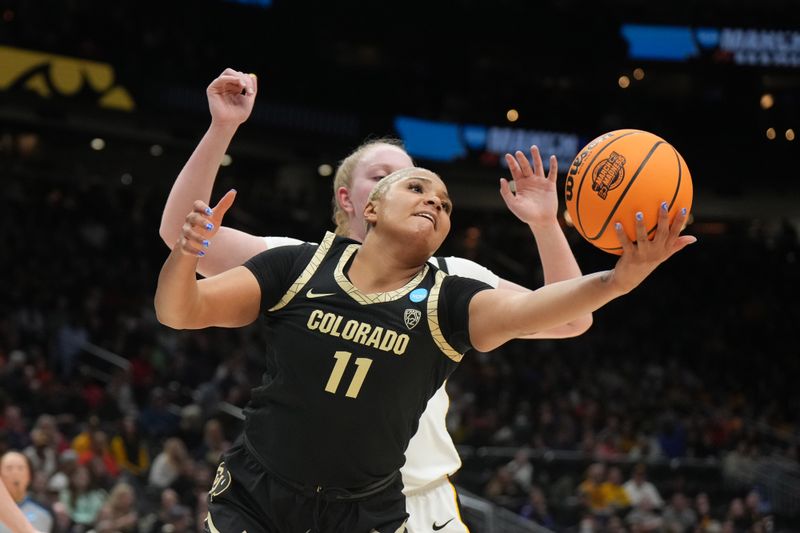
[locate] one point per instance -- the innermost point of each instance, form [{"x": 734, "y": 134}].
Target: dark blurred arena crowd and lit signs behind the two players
[{"x": 691, "y": 380}]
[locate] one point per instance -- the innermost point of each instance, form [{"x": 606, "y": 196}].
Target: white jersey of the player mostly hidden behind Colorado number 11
[{"x": 431, "y": 454}]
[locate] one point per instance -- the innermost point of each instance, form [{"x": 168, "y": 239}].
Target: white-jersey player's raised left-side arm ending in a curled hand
[{"x": 230, "y": 99}]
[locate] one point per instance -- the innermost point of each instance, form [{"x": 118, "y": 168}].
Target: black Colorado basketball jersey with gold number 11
[{"x": 348, "y": 374}]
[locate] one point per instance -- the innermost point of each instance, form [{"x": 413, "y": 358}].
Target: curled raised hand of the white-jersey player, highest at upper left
[{"x": 231, "y": 97}]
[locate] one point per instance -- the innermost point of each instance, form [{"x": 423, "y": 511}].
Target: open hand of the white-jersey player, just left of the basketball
[{"x": 534, "y": 199}]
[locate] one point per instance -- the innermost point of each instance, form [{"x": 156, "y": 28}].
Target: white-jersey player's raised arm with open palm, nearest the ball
[{"x": 535, "y": 202}]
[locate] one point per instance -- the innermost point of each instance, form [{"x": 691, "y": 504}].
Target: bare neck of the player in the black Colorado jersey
[{"x": 377, "y": 268}]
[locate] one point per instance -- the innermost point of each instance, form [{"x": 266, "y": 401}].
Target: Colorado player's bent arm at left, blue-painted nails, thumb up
[{"x": 230, "y": 299}]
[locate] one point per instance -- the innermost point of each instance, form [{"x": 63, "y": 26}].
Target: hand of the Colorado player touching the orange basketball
[{"x": 640, "y": 258}]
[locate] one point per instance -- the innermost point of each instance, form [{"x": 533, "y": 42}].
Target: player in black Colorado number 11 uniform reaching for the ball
[{"x": 359, "y": 338}]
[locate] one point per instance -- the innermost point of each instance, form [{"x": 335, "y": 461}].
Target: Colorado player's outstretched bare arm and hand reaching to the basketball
[{"x": 498, "y": 316}]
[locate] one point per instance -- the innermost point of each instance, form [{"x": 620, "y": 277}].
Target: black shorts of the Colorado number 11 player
[{"x": 245, "y": 497}]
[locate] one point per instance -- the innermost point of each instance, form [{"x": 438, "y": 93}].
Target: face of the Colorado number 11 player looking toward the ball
[{"x": 418, "y": 205}]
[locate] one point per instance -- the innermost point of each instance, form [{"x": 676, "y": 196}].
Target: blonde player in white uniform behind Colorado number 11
[{"x": 431, "y": 456}]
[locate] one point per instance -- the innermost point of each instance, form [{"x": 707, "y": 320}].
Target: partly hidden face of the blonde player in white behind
[{"x": 378, "y": 162}]
